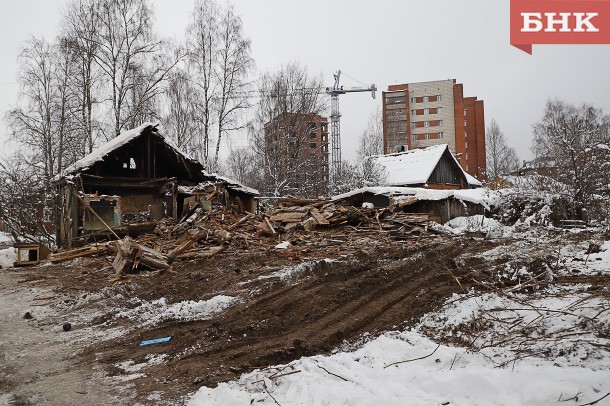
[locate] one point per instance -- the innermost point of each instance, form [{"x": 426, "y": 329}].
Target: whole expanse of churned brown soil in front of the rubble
[{"x": 370, "y": 286}]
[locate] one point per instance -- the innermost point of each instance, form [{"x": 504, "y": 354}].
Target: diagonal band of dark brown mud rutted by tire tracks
[{"x": 310, "y": 314}]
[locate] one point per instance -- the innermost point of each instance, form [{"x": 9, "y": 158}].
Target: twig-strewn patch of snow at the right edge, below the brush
[{"x": 568, "y": 324}]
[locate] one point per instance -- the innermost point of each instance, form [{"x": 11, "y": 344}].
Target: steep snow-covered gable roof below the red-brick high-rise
[{"x": 415, "y": 167}]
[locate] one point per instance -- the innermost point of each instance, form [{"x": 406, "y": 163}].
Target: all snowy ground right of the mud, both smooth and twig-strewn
[{"x": 547, "y": 347}]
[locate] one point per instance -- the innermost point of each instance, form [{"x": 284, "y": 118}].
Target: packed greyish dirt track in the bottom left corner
[{"x": 38, "y": 362}]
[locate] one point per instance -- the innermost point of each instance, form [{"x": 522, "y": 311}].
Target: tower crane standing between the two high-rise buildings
[{"x": 335, "y": 121}]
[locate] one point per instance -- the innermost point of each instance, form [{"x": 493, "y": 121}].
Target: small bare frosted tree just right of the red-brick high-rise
[{"x": 501, "y": 158}]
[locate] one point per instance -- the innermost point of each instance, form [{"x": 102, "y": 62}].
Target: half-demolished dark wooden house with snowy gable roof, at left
[{"x": 137, "y": 177}]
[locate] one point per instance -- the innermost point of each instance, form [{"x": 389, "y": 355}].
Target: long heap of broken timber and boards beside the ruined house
[{"x": 207, "y": 229}]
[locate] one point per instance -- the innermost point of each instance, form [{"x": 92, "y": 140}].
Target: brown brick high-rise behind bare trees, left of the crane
[{"x": 297, "y": 145}]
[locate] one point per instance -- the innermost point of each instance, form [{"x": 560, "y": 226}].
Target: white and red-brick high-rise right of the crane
[{"x": 418, "y": 115}]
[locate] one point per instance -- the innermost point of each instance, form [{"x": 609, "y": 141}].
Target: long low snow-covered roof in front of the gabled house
[{"x": 477, "y": 196}]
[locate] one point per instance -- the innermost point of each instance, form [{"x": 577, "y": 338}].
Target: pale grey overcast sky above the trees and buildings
[{"x": 382, "y": 42}]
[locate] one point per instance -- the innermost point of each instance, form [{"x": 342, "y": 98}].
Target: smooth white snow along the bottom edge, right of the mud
[{"x": 450, "y": 376}]
